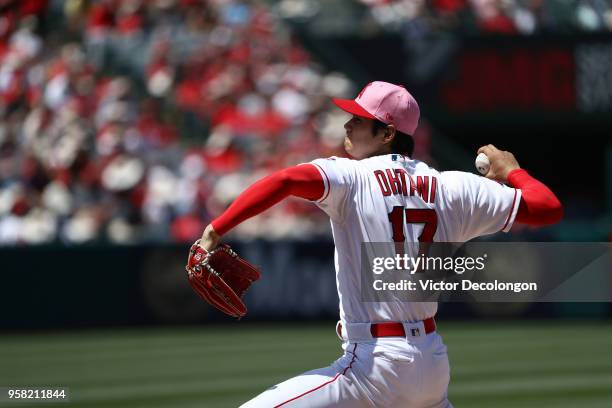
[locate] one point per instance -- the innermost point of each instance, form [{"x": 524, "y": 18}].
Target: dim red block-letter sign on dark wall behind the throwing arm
[{"x": 512, "y": 80}]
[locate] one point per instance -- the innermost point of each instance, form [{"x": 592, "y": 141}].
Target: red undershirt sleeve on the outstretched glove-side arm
[{"x": 303, "y": 181}]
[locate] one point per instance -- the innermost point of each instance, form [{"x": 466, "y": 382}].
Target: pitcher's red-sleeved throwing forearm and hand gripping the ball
[{"x": 539, "y": 205}]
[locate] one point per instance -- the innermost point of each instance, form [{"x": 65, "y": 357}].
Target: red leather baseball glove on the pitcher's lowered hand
[{"x": 220, "y": 277}]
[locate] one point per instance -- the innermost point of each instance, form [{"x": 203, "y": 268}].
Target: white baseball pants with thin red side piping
[{"x": 390, "y": 372}]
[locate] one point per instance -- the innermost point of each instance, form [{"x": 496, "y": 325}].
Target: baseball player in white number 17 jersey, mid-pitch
[{"x": 393, "y": 356}]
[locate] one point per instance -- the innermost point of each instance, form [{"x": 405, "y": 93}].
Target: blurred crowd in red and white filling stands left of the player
[{"x": 213, "y": 94}]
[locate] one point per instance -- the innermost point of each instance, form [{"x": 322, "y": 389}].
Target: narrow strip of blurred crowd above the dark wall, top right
[{"x": 507, "y": 17}]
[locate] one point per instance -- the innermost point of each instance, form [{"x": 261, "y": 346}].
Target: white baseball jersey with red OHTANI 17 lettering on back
[{"x": 391, "y": 198}]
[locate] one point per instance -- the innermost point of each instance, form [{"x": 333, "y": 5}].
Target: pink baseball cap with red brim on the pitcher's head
[{"x": 389, "y": 103}]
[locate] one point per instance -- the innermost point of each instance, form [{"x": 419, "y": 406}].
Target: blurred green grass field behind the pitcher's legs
[{"x": 537, "y": 364}]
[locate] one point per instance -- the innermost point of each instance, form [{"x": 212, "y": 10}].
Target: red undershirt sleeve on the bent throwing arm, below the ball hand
[{"x": 539, "y": 206}]
